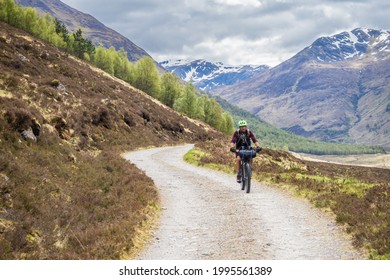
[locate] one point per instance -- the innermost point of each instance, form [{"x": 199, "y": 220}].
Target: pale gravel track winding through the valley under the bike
[{"x": 207, "y": 216}]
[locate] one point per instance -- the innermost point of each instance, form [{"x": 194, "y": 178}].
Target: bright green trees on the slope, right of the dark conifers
[{"x": 168, "y": 88}]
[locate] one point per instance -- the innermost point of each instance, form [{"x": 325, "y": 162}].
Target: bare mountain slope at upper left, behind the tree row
[{"x": 92, "y": 29}]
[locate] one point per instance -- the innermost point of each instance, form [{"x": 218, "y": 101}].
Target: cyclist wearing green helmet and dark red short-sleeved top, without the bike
[{"x": 242, "y": 139}]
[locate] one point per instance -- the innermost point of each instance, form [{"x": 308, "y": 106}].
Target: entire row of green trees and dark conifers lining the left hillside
[{"x": 143, "y": 74}]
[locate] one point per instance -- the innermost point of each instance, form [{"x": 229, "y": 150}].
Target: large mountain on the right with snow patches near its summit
[{"x": 337, "y": 89}]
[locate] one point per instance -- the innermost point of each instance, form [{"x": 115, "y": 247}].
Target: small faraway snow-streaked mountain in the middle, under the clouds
[{"x": 207, "y": 75}]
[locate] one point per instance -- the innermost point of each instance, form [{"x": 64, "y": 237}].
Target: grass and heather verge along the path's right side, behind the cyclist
[{"x": 358, "y": 196}]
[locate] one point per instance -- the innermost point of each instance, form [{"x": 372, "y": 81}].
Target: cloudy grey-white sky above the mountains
[{"x": 233, "y": 31}]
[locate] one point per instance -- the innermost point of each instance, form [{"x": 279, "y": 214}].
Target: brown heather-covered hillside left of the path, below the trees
[{"x": 65, "y": 193}]
